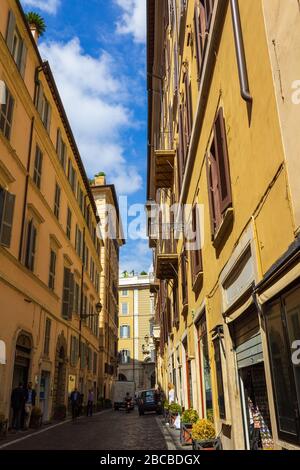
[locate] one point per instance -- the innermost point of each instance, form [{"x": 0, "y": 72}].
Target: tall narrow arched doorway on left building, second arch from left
[{"x": 59, "y": 390}]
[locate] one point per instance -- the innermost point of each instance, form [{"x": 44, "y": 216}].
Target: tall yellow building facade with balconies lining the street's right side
[{"x": 222, "y": 144}]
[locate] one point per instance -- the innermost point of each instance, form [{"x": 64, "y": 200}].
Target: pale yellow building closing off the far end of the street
[{"x": 136, "y": 322}]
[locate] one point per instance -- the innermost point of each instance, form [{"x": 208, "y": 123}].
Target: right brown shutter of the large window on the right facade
[{"x": 222, "y": 162}]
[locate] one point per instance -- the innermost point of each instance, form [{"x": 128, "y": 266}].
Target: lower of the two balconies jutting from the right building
[{"x": 166, "y": 260}]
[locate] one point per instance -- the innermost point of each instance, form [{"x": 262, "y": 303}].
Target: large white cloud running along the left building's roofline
[{"x": 94, "y": 96}]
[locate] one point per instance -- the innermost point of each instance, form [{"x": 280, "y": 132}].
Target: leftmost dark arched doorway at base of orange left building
[{"x": 22, "y": 360}]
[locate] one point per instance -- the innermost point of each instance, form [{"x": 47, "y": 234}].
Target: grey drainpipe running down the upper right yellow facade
[{"x": 240, "y": 51}]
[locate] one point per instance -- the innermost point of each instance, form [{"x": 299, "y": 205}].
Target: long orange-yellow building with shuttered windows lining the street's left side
[{"x": 50, "y": 246}]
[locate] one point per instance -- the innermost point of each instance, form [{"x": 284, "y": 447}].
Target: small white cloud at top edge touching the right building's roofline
[{"x": 133, "y": 19}]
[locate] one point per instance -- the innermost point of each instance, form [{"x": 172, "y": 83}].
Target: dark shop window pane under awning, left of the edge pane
[{"x": 281, "y": 361}]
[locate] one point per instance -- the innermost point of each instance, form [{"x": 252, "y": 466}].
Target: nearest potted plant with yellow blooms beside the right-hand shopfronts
[{"x": 204, "y": 435}]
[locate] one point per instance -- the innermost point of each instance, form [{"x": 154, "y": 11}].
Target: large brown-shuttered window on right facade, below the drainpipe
[{"x": 219, "y": 188}]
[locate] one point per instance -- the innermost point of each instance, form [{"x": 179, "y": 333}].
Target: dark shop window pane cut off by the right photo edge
[{"x": 292, "y": 305}]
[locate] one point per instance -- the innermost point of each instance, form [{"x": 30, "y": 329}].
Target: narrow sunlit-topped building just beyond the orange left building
[{"x": 108, "y": 210}]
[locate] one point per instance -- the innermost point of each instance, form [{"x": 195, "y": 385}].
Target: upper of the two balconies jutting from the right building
[{"x": 164, "y": 168}]
